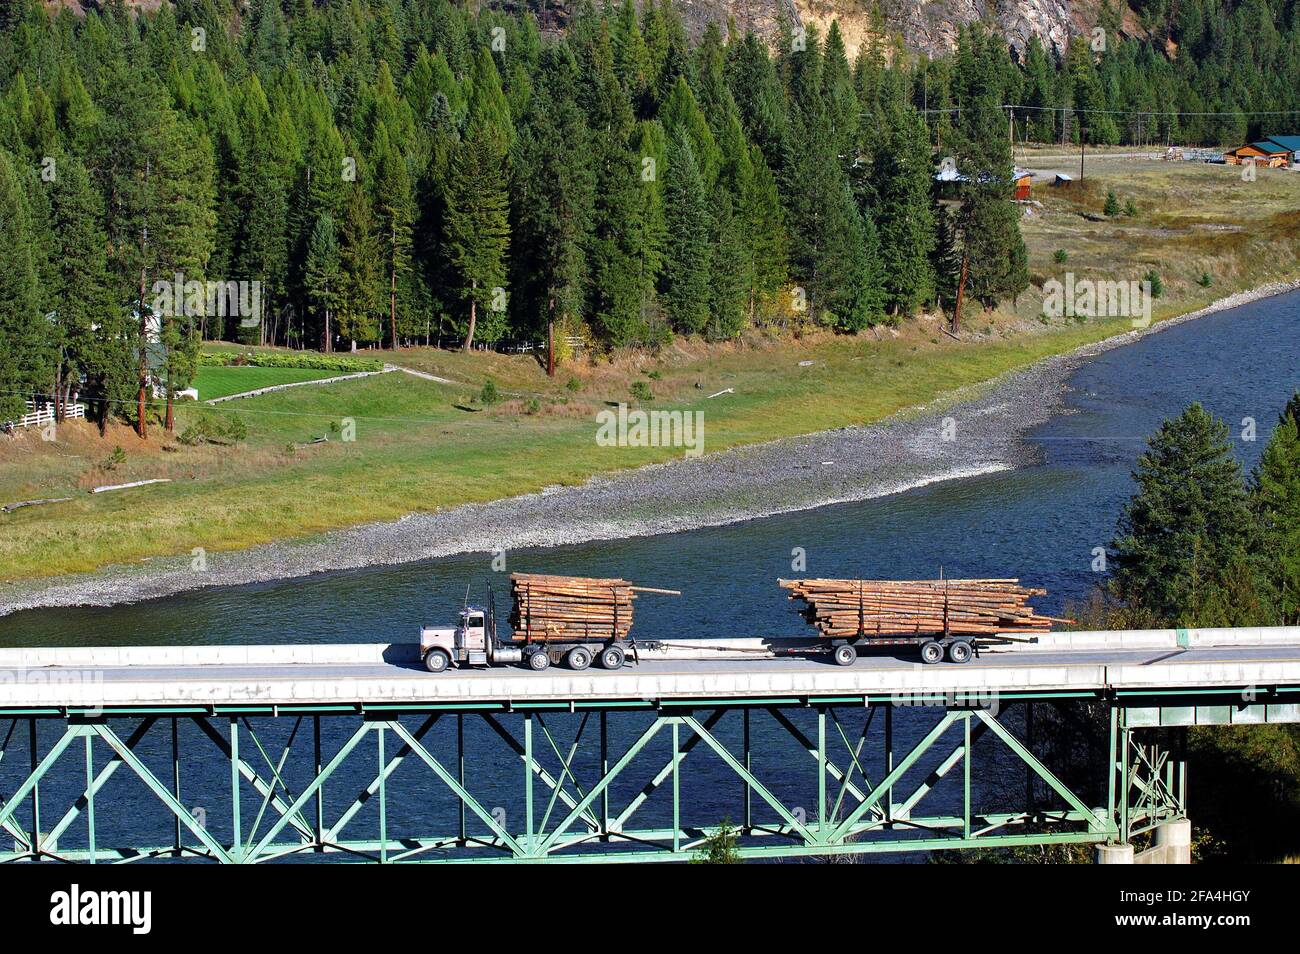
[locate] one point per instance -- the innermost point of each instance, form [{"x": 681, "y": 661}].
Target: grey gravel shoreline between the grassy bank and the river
[{"x": 965, "y": 433}]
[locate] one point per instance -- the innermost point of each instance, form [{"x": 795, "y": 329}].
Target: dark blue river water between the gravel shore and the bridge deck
[{"x": 1042, "y": 523}]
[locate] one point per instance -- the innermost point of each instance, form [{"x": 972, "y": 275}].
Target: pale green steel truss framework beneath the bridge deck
[{"x": 584, "y": 782}]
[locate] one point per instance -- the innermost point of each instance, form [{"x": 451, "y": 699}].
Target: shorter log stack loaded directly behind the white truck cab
[{"x": 573, "y": 608}]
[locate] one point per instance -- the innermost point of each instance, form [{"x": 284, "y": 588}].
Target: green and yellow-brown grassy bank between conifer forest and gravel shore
[{"x": 422, "y": 446}]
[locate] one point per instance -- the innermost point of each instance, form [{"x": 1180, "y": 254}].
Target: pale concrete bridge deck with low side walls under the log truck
[{"x": 1250, "y": 664}]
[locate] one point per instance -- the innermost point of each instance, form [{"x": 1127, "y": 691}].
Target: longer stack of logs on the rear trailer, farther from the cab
[{"x": 846, "y": 609}]
